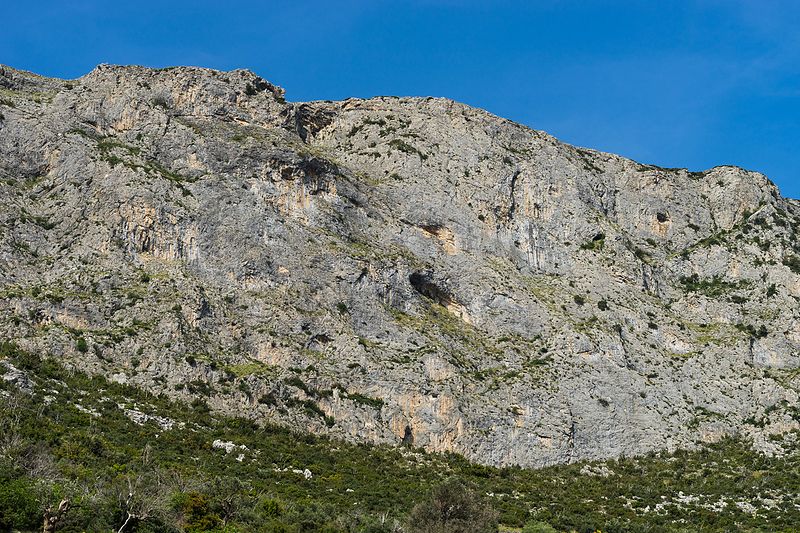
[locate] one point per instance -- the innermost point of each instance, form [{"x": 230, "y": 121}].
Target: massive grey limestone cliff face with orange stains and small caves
[{"x": 395, "y": 270}]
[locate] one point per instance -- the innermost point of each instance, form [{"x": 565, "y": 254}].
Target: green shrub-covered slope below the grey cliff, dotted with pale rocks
[{"x": 129, "y": 461}]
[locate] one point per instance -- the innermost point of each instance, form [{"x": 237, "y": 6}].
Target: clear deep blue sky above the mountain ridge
[{"x": 679, "y": 84}]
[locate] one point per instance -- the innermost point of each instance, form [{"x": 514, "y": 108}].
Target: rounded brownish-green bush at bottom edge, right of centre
[{"x": 453, "y": 507}]
